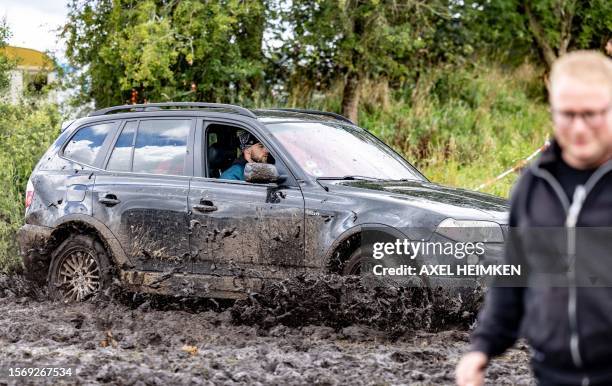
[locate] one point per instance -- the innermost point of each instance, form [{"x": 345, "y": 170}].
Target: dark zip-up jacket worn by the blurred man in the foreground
[{"x": 569, "y": 324}]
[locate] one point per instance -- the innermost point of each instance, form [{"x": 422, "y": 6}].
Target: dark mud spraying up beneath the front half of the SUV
[{"x": 341, "y": 301}]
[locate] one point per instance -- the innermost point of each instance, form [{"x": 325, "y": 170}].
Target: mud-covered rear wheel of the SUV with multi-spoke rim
[{"x": 80, "y": 269}]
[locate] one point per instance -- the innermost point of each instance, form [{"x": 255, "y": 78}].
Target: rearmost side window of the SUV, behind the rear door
[{"x": 86, "y": 143}]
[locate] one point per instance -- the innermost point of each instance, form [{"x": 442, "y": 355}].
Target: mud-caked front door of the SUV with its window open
[{"x": 241, "y": 228}]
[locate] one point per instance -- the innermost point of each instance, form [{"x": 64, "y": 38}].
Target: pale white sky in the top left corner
[{"x": 33, "y": 23}]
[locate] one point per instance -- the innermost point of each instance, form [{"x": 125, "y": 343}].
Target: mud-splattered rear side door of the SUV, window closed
[{"x": 142, "y": 195}]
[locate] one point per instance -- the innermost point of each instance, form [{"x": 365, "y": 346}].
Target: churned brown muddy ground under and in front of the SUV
[{"x": 302, "y": 331}]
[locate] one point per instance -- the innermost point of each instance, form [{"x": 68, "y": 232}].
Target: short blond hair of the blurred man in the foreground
[{"x": 590, "y": 67}]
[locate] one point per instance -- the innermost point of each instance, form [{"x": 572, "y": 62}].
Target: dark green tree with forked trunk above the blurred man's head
[{"x": 537, "y": 30}]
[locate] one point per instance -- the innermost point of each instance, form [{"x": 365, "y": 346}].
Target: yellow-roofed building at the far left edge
[{"x": 33, "y": 71}]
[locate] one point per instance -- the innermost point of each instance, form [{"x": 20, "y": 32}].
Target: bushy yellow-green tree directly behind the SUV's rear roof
[{"x": 166, "y": 50}]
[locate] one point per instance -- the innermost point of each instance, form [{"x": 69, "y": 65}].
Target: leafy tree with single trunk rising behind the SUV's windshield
[{"x": 357, "y": 39}]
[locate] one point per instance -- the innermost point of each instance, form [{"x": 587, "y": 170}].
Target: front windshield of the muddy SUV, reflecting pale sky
[{"x": 329, "y": 150}]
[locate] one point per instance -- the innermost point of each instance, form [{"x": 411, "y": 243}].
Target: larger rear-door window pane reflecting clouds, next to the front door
[{"x": 161, "y": 146}]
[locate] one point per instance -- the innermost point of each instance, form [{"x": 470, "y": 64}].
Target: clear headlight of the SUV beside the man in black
[{"x": 471, "y": 231}]
